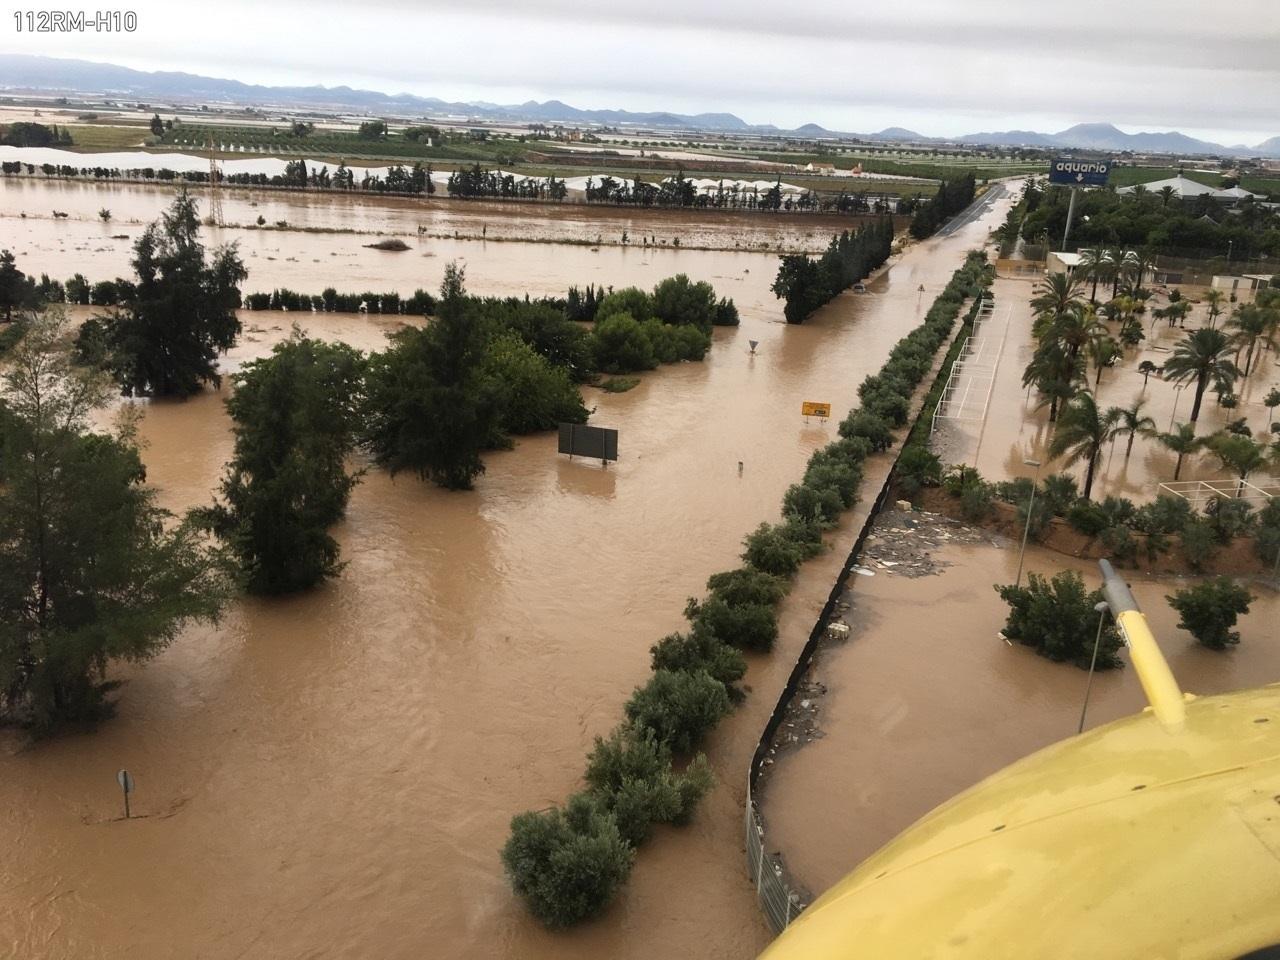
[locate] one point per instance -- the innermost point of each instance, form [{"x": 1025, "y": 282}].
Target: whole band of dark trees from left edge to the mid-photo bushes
[{"x": 94, "y": 572}]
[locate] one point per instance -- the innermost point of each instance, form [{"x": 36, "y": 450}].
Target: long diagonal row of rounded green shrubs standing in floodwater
[{"x": 570, "y": 862}]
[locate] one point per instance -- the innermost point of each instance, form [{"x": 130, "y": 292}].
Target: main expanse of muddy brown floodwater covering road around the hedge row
[{"x": 333, "y": 775}]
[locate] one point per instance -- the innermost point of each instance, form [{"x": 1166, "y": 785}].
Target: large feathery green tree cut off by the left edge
[{"x": 92, "y": 572}]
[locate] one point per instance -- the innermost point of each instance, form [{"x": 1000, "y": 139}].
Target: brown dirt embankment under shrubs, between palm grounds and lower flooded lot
[{"x": 1237, "y": 559}]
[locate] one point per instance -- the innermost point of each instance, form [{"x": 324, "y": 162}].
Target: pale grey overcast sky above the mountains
[{"x": 939, "y": 67}]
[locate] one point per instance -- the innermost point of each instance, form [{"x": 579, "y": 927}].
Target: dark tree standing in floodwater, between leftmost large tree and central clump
[{"x": 295, "y": 422}]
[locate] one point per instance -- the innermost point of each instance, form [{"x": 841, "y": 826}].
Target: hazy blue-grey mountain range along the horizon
[{"x": 21, "y": 72}]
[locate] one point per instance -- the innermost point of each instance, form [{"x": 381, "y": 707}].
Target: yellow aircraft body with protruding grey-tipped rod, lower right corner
[{"x": 1127, "y": 843}]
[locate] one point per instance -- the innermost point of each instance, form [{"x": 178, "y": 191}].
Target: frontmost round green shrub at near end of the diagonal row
[{"x": 568, "y": 865}]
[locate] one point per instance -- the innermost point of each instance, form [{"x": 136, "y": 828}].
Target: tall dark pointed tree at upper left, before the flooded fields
[{"x": 179, "y": 317}]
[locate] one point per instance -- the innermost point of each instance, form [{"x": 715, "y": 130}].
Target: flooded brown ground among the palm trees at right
[{"x": 1017, "y": 429}]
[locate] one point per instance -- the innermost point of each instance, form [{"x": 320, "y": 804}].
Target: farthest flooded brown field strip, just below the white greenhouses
[{"x": 135, "y": 205}]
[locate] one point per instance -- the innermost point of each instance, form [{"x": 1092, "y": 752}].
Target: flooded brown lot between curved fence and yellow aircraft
[{"x": 926, "y": 701}]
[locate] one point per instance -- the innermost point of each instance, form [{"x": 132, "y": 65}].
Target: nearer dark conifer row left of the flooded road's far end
[{"x": 807, "y": 285}]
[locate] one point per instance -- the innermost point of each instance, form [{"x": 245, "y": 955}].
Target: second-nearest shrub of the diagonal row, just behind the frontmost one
[{"x": 632, "y": 776}]
